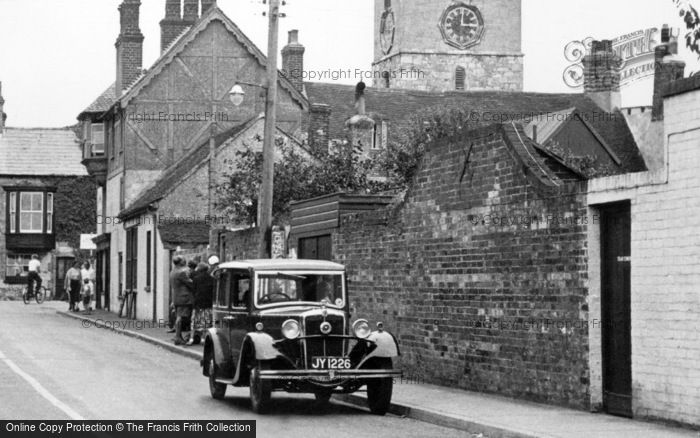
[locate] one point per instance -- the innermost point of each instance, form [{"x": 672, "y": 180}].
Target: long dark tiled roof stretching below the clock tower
[{"x": 397, "y": 106}]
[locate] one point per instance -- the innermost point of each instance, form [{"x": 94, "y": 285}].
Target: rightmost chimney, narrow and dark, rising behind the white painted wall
[{"x": 668, "y": 67}]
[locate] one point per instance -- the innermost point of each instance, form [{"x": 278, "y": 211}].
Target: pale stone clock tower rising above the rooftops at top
[{"x": 443, "y": 45}]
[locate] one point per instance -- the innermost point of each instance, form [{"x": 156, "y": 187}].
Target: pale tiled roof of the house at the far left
[{"x": 40, "y": 151}]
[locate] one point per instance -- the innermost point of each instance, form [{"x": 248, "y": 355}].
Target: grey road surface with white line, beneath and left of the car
[{"x": 52, "y": 368}]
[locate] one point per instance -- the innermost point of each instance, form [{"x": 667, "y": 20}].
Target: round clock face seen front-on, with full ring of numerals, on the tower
[{"x": 461, "y": 25}]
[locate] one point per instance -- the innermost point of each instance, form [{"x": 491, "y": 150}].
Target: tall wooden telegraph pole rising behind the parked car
[{"x": 268, "y": 171}]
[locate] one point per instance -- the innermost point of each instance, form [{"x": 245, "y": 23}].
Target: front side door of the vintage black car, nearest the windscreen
[{"x": 237, "y": 322}]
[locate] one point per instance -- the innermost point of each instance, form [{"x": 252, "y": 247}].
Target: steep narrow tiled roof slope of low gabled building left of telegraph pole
[{"x": 173, "y": 175}]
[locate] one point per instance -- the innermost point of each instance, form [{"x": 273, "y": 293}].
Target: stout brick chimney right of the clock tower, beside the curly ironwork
[{"x": 601, "y": 76}]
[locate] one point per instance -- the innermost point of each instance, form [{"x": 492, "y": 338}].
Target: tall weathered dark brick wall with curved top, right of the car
[{"x": 469, "y": 298}]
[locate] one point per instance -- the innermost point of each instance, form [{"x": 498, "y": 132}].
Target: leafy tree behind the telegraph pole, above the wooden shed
[{"x": 298, "y": 175}]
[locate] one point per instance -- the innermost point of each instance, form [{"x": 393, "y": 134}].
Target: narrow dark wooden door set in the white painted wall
[{"x": 615, "y": 309}]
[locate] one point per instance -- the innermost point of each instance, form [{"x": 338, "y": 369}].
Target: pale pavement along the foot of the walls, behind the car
[{"x": 480, "y": 415}]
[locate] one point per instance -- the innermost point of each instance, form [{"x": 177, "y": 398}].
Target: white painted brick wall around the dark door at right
[{"x": 665, "y": 272}]
